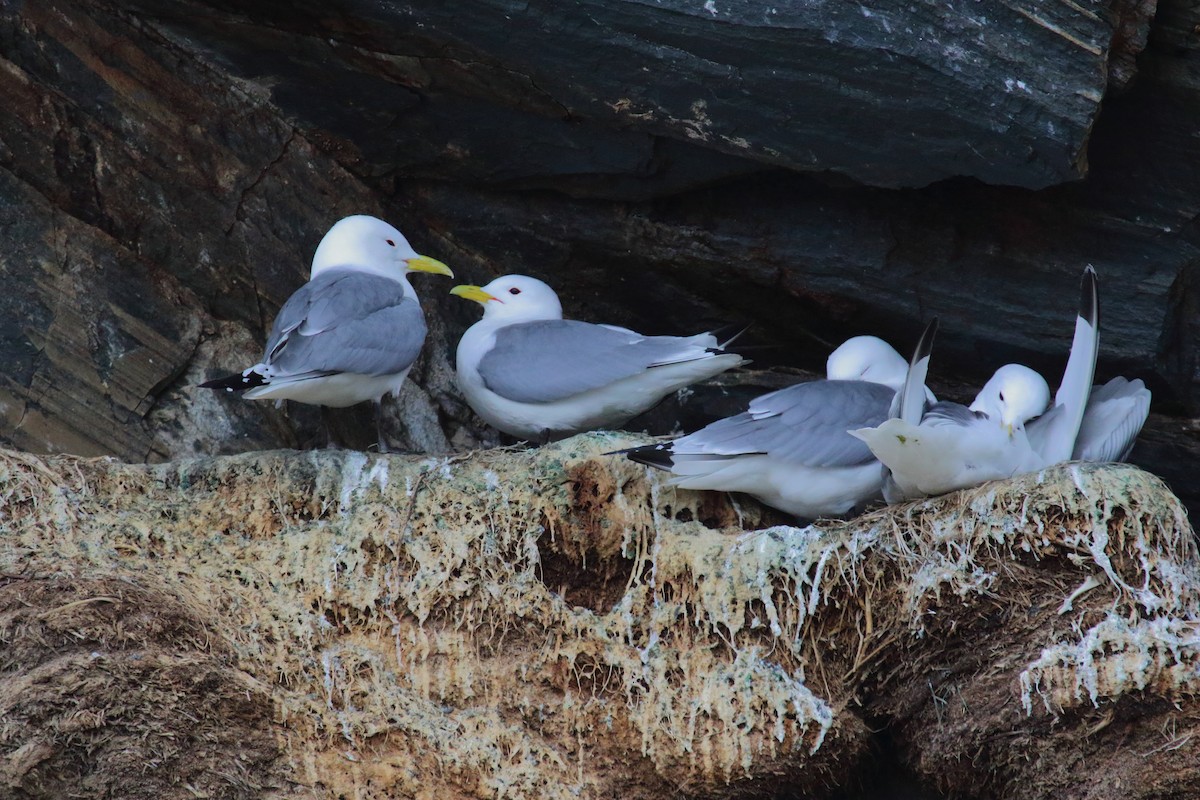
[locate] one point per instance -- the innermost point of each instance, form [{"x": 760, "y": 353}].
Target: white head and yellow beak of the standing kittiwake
[{"x": 371, "y": 245}]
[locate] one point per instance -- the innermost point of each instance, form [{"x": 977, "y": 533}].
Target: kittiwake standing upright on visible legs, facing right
[{"x": 353, "y": 332}]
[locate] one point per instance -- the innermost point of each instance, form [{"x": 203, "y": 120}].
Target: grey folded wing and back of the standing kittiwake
[{"x": 346, "y": 322}]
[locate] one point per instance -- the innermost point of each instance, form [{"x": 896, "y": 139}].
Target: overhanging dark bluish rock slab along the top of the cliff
[{"x": 890, "y": 94}]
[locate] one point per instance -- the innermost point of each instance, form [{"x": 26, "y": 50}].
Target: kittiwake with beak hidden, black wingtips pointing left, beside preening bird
[{"x": 791, "y": 448}]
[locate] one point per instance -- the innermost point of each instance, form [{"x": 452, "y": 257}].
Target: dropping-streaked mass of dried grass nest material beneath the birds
[{"x": 554, "y": 623}]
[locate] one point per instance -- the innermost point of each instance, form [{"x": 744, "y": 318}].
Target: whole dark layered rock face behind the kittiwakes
[{"x": 169, "y": 170}]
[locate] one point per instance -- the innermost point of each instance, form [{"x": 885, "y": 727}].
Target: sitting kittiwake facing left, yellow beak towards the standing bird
[{"x": 533, "y": 375}]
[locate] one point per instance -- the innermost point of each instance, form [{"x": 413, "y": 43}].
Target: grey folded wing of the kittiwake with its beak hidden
[{"x": 805, "y": 425}]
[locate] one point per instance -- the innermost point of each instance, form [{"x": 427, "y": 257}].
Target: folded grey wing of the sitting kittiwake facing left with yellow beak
[{"x": 553, "y": 360}]
